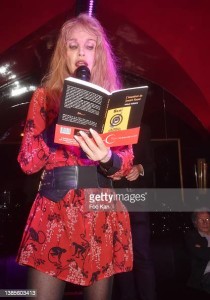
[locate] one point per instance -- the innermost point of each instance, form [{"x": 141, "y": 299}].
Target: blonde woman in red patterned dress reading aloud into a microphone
[{"x": 63, "y": 242}]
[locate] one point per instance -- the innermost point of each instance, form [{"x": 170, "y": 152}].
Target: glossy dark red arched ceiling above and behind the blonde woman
[{"x": 163, "y": 42}]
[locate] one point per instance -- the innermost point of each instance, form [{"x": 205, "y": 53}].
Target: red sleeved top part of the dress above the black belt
[{"x": 38, "y": 151}]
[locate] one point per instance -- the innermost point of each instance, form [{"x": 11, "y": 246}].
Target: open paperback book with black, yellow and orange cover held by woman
[{"x": 115, "y": 116}]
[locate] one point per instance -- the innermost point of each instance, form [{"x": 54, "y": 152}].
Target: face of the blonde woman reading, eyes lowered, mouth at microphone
[{"x": 81, "y": 46}]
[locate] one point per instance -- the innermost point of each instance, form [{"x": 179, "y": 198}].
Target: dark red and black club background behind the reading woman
[{"x": 164, "y": 44}]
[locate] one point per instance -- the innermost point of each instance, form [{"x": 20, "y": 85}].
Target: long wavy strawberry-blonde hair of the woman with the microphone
[{"x": 104, "y": 71}]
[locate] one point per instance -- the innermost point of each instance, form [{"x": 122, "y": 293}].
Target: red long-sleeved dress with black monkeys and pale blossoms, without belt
[{"x": 63, "y": 239}]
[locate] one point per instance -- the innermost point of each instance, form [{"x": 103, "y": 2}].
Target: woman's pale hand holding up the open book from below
[{"x": 94, "y": 148}]
